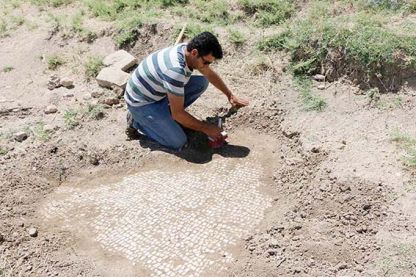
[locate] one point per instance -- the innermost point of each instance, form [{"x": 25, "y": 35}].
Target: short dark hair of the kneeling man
[{"x": 206, "y": 43}]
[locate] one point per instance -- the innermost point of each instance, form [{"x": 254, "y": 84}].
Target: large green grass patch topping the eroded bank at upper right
[{"x": 361, "y": 40}]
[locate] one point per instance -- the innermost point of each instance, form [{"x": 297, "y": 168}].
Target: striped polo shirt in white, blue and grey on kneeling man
[{"x": 162, "y": 72}]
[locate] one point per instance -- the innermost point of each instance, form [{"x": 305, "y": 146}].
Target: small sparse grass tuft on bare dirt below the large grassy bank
[{"x": 310, "y": 101}]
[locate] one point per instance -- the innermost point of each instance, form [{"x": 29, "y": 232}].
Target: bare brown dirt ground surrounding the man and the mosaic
[{"x": 343, "y": 200}]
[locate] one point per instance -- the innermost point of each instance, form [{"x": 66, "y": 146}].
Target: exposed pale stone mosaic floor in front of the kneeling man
[{"x": 176, "y": 223}]
